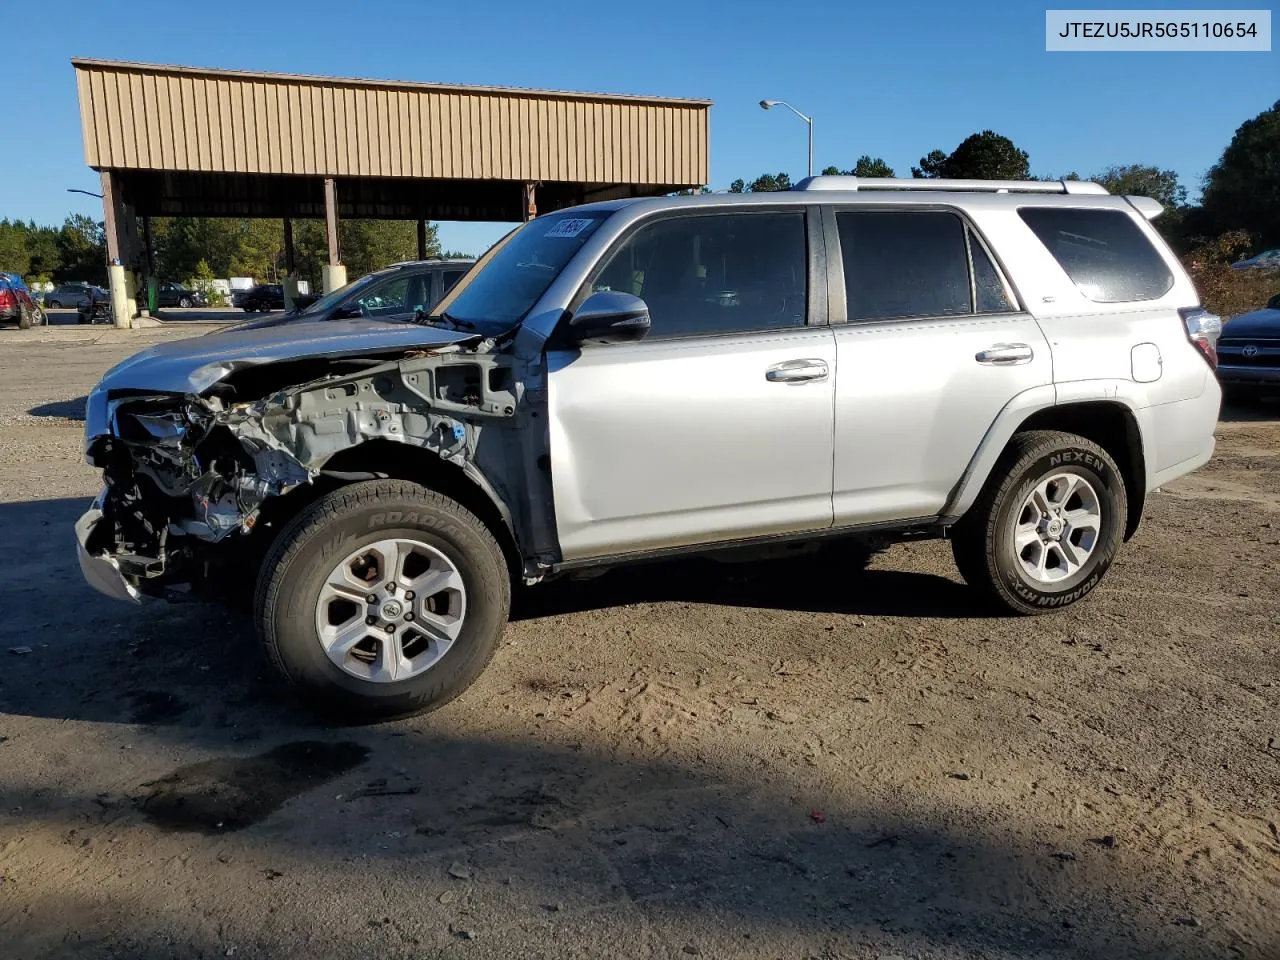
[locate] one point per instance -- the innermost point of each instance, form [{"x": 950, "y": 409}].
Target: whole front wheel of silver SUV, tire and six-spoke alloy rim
[{"x": 383, "y": 600}]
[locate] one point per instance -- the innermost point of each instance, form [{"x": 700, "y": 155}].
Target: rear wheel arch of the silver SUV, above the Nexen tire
[{"x": 1113, "y": 424}]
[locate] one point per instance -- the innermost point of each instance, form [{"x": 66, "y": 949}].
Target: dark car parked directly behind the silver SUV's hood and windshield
[{"x": 401, "y": 289}]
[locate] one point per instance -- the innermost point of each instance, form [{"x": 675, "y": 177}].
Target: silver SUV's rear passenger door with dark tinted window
[{"x": 932, "y": 349}]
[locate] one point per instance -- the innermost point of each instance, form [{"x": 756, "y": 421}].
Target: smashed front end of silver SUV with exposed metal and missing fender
[{"x": 190, "y": 477}]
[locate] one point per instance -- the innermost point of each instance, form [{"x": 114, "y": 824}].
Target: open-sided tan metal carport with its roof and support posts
[{"x": 181, "y": 141}]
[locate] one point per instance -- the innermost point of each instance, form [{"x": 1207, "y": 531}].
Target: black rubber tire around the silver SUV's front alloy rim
[{"x": 340, "y": 525}]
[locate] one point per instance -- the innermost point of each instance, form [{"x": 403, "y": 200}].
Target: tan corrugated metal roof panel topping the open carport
[{"x": 144, "y": 117}]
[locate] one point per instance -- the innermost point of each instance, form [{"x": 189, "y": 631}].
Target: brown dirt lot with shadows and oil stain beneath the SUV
[{"x": 685, "y": 760}]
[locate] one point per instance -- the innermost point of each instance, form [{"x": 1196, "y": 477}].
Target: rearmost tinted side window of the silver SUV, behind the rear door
[{"x": 1104, "y": 253}]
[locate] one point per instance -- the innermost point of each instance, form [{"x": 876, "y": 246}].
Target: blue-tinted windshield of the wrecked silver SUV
[{"x": 499, "y": 294}]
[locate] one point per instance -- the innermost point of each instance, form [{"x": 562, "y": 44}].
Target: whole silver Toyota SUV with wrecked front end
[{"x": 1013, "y": 367}]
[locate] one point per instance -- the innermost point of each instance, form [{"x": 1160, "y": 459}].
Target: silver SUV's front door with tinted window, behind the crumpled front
[{"x": 719, "y": 426}]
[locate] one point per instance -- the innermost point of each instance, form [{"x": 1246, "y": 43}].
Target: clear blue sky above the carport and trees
[{"x": 892, "y": 80}]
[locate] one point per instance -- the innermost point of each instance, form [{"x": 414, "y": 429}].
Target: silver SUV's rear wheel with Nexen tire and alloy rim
[{"x": 985, "y": 542}]
